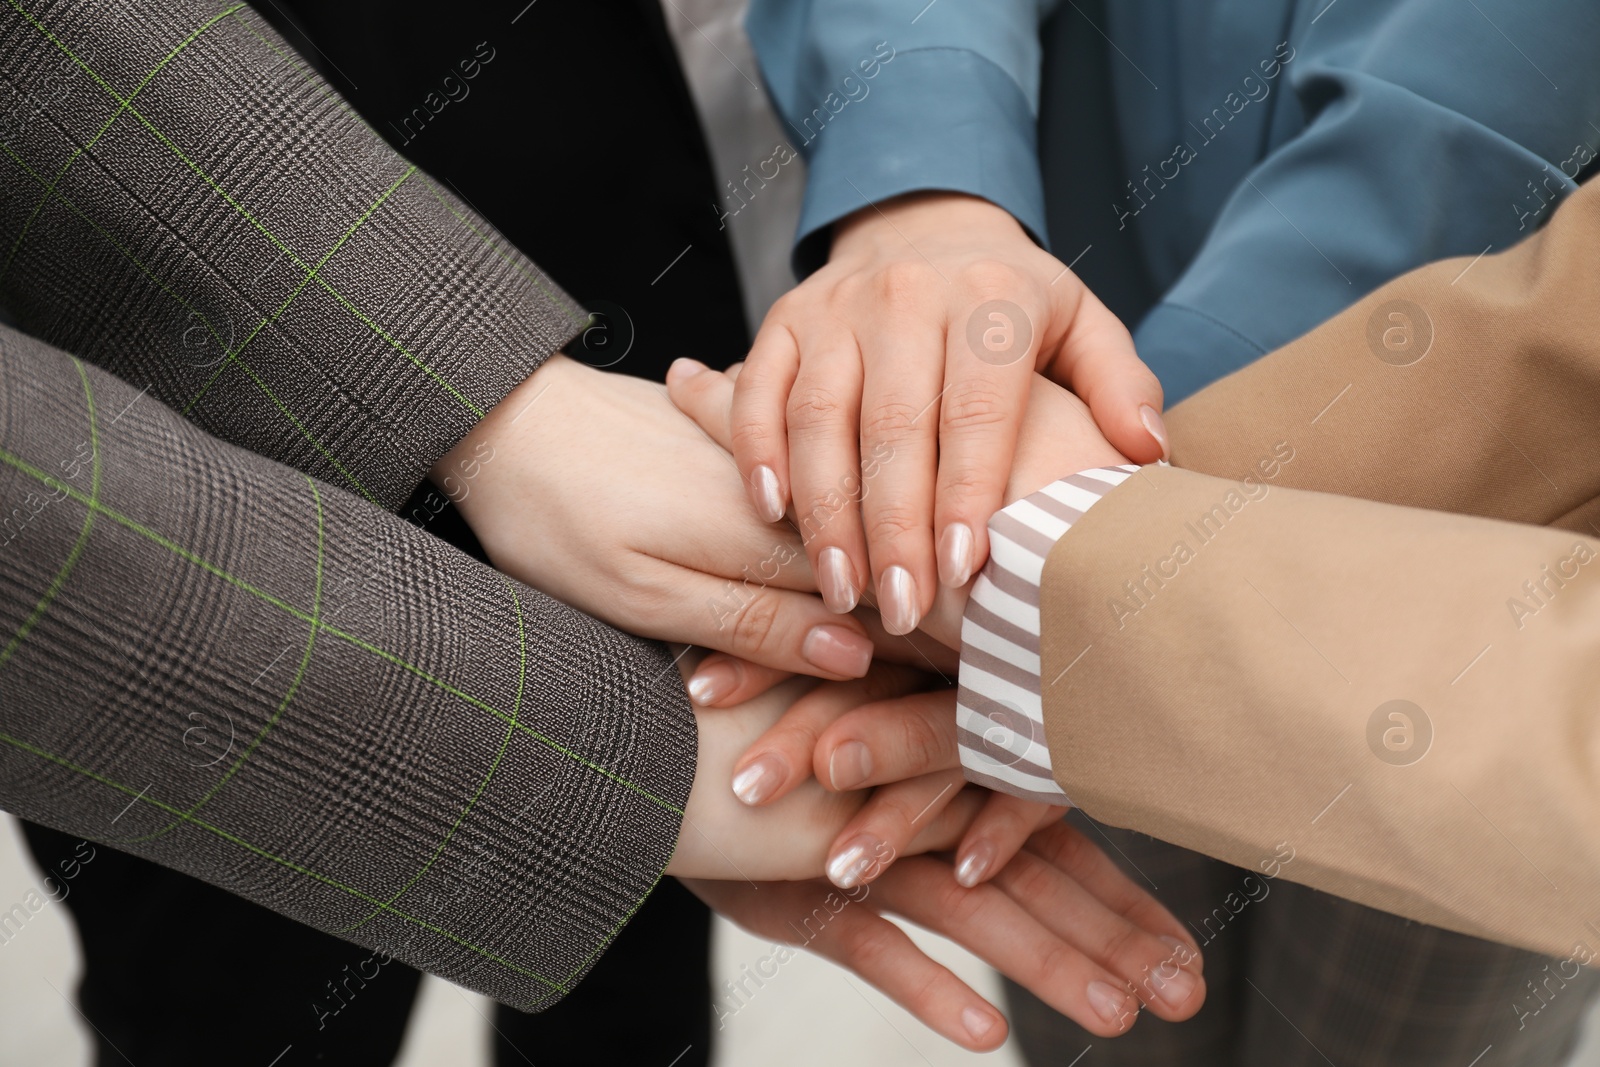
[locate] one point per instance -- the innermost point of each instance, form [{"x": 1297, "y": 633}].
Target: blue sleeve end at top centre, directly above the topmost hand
[{"x": 890, "y": 97}]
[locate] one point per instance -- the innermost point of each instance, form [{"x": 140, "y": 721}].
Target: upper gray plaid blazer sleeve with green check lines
[{"x": 188, "y": 206}]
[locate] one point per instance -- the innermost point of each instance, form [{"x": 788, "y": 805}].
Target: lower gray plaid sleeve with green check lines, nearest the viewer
[{"x": 233, "y": 669}]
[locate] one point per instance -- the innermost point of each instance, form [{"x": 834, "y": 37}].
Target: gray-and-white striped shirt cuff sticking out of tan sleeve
[{"x": 999, "y": 711}]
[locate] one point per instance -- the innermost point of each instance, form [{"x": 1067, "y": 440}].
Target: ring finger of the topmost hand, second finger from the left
[{"x": 825, "y": 466}]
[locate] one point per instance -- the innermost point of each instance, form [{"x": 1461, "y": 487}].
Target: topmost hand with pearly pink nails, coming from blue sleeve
[{"x": 895, "y": 378}]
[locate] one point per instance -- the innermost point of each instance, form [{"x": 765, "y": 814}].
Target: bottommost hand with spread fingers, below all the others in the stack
[{"x": 1062, "y": 921}]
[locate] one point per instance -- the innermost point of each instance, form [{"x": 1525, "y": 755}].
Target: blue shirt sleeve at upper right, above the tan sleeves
[{"x": 1428, "y": 129}]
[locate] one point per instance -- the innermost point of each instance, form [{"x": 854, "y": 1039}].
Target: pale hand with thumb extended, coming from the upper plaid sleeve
[{"x": 593, "y": 489}]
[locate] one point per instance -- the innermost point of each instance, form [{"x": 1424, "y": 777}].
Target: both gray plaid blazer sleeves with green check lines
[{"x": 401, "y": 745}]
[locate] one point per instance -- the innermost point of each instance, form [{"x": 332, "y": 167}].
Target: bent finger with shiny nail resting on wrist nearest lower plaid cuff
[{"x": 782, "y": 757}]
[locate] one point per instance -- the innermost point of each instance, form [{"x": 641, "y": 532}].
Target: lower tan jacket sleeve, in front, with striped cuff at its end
[{"x": 1348, "y": 679}]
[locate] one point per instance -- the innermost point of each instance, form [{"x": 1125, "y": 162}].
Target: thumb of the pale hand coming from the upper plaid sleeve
[{"x": 762, "y": 625}]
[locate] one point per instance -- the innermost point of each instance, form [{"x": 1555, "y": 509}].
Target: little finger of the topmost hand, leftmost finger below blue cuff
[{"x": 758, "y": 420}]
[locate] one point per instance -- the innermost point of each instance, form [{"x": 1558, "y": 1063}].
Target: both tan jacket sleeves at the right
[{"x": 1399, "y": 692}]
